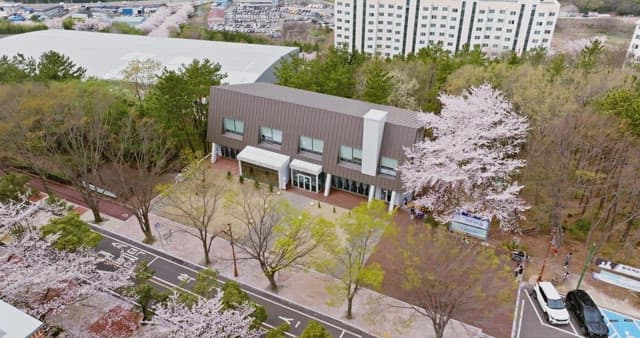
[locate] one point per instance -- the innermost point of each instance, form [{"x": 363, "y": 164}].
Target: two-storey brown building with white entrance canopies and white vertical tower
[{"x": 292, "y": 138}]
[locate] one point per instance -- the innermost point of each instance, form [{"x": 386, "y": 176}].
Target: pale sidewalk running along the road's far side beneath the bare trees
[{"x": 374, "y": 313}]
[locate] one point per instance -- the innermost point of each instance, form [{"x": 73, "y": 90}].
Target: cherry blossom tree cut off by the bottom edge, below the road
[{"x": 205, "y": 318}]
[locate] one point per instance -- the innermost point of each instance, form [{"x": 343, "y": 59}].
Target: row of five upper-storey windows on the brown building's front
[{"x": 388, "y": 166}]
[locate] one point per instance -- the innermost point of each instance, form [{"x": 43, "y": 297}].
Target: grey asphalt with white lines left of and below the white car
[{"x": 530, "y": 321}]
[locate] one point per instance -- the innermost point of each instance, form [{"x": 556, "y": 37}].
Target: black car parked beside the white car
[{"x": 586, "y": 312}]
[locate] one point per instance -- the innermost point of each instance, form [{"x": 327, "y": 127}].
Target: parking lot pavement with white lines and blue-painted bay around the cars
[{"x": 529, "y": 321}]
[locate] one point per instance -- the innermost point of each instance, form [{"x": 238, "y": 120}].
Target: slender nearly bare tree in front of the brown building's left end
[{"x": 195, "y": 202}]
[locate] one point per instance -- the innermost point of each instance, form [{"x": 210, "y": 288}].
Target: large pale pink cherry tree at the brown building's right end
[{"x": 469, "y": 160}]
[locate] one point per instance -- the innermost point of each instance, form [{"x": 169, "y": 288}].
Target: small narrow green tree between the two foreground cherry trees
[{"x": 145, "y": 294}]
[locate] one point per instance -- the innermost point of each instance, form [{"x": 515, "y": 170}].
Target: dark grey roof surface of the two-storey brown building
[{"x": 397, "y": 116}]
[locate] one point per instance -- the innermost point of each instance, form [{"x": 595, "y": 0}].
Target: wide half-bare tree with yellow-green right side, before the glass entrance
[{"x": 276, "y": 235}]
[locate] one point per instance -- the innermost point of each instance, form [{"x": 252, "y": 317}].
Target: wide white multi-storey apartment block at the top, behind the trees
[{"x": 402, "y": 27}]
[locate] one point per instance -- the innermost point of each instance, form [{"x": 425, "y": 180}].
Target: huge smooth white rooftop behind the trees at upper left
[{"x": 105, "y": 55}]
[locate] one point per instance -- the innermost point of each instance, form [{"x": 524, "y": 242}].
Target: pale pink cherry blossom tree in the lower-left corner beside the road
[{"x": 42, "y": 280}]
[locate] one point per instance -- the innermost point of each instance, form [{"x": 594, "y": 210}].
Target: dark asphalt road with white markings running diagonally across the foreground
[{"x": 172, "y": 271}]
